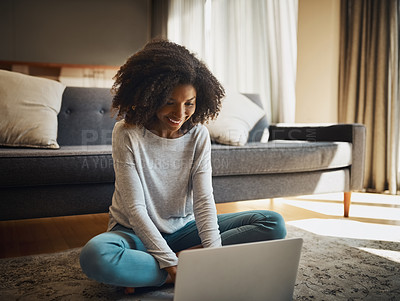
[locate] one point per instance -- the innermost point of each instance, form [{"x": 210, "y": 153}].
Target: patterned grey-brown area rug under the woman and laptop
[{"x": 330, "y": 269}]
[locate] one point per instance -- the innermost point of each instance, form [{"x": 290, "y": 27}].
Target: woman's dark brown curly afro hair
[{"x": 144, "y": 83}]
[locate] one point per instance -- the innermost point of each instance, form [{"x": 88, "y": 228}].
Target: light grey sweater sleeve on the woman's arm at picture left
[{"x": 132, "y": 201}]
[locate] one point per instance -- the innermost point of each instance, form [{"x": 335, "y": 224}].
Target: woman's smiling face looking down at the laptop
[{"x": 180, "y": 106}]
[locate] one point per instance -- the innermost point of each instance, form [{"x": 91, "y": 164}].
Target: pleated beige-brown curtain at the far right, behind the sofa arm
[{"x": 369, "y": 84}]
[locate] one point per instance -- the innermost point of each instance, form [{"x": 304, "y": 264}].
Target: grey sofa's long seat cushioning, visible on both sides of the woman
[{"x": 93, "y": 163}]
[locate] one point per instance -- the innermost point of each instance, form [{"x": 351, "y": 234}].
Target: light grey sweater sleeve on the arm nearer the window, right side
[{"x": 203, "y": 198}]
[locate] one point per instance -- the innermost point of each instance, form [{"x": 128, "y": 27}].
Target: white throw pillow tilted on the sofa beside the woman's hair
[{"x": 237, "y": 117}]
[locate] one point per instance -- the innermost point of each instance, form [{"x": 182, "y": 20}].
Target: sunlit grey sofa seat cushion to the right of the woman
[{"x": 279, "y": 157}]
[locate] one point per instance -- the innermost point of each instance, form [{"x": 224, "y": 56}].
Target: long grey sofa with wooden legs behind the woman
[{"x": 78, "y": 178}]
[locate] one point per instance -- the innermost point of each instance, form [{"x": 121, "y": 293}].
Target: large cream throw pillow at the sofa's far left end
[{"x": 28, "y": 108}]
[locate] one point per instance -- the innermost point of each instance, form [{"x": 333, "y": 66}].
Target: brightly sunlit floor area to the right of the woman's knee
[{"x": 372, "y": 217}]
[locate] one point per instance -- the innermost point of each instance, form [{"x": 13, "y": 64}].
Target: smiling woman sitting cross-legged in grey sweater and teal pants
[{"x": 163, "y": 200}]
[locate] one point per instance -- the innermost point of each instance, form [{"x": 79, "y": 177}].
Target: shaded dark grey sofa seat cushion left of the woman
[{"x": 67, "y": 165}]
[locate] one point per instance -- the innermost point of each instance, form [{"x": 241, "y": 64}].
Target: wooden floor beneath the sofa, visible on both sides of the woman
[{"x": 373, "y": 211}]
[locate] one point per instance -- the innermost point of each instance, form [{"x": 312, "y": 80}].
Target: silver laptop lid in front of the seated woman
[{"x": 252, "y": 271}]
